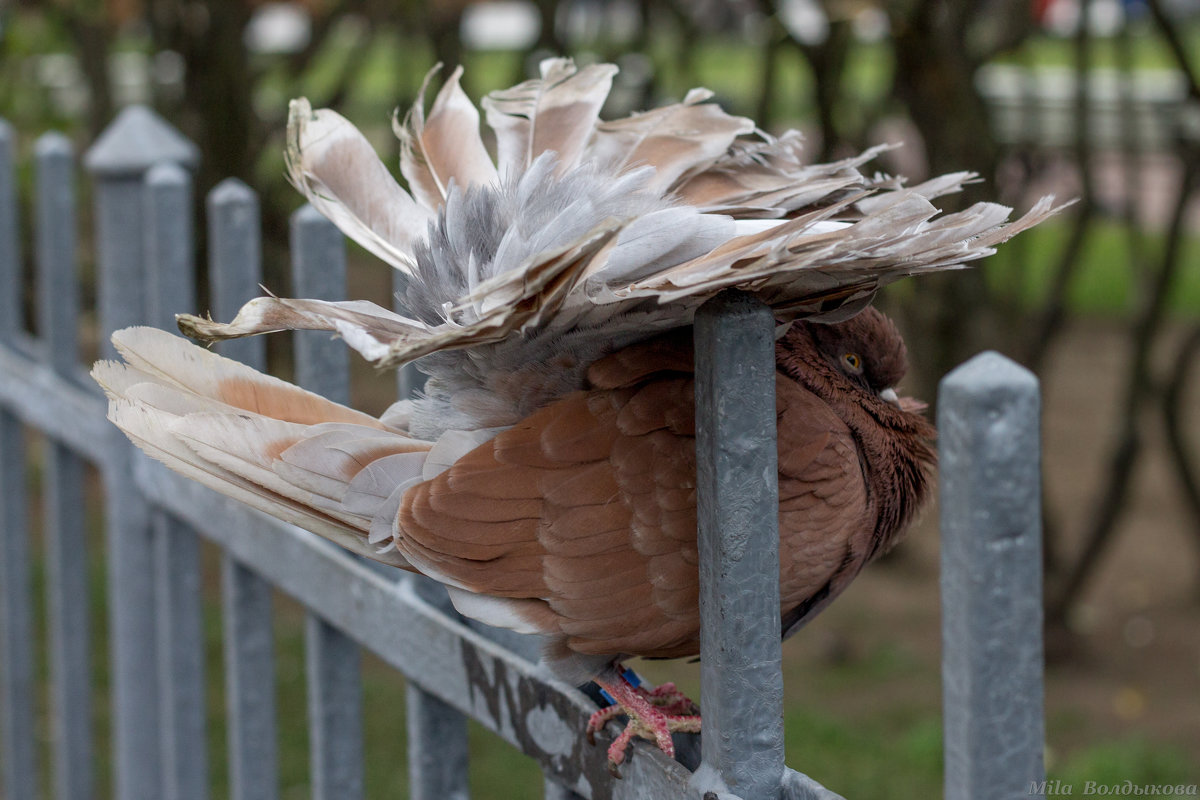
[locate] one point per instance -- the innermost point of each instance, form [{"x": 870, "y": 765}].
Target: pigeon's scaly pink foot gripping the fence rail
[{"x": 653, "y": 714}]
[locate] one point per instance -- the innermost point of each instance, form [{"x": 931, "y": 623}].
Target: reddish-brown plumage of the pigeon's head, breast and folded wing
[{"x": 593, "y": 496}]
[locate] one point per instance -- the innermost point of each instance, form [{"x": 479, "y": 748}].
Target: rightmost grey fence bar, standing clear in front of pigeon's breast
[{"x": 988, "y": 414}]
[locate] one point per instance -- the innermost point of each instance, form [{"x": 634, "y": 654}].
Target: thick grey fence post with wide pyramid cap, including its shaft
[{"x": 136, "y": 141}]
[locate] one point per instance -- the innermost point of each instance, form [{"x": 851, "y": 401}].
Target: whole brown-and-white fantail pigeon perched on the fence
[{"x": 547, "y": 476}]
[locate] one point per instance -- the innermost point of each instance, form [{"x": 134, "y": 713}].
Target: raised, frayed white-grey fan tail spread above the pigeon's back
[{"x": 597, "y": 232}]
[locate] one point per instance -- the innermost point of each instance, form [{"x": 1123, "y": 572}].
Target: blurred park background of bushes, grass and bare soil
[{"x": 1095, "y": 100}]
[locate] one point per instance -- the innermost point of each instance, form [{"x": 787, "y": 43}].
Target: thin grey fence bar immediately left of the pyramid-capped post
[{"x": 67, "y": 554}]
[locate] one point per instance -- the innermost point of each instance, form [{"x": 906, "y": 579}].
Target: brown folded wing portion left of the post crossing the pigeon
[{"x": 566, "y": 509}]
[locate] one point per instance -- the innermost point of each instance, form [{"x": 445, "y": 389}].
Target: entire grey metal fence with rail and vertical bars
[{"x": 455, "y": 670}]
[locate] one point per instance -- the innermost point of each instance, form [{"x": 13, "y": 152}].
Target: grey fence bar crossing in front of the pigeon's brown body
[{"x": 742, "y": 685}]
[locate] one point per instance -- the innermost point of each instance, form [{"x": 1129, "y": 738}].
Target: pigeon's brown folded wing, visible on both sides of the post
[{"x": 580, "y": 522}]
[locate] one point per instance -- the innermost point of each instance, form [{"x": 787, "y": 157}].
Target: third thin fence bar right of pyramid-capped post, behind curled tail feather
[{"x": 334, "y": 679}]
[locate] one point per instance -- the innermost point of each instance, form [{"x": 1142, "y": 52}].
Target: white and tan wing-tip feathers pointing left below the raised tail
[{"x": 277, "y": 448}]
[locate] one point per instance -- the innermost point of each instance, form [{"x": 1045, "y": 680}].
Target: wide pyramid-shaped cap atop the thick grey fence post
[{"x": 137, "y": 141}]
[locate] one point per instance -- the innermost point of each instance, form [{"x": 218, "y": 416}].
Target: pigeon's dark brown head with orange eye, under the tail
[{"x": 866, "y": 351}]
